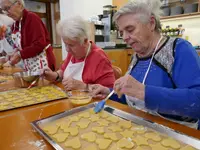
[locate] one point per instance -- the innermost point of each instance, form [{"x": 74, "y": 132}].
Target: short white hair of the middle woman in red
[{"x": 74, "y": 28}]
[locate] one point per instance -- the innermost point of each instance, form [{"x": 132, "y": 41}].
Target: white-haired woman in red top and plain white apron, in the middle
[{"x": 85, "y": 63}]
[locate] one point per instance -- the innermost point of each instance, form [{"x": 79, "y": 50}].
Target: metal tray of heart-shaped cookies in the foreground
[{"x": 111, "y": 129}]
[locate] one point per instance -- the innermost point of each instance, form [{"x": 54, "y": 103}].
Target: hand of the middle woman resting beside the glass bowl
[{"x": 72, "y": 84}]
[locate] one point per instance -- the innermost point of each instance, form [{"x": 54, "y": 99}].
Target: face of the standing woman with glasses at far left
[{"x": 13, "y": 10}]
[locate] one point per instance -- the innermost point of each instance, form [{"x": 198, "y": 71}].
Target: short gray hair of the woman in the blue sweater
[{"x": 144, "y": 9}]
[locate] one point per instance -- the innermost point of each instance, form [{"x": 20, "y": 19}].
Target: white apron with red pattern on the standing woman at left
[{"x": 30, "y": 64}]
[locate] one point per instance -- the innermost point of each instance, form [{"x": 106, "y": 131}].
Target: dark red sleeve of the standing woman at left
[{"x": 33, "y": 36}]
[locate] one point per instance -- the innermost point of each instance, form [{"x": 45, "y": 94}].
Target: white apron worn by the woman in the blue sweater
[{"x": 140, "y": 104}]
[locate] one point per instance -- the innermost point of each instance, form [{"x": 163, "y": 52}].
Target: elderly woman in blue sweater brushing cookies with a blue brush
[{"x": 164, "y": 75}]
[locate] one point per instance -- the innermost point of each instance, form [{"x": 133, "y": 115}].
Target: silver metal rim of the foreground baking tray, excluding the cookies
[{"x": 124, "y": 115}]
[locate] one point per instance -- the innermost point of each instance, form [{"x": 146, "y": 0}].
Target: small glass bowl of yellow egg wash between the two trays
[{"x": 79, "y": 97}]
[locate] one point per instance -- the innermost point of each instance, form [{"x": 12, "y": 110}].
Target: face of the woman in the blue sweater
[{"x": 135, "y": 33}]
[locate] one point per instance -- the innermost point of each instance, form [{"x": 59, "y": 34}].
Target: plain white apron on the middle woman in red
[{"x": 76, "y": 70}]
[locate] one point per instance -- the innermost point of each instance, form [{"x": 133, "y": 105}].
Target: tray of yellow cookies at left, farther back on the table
[{"x": 24, "y": 97}]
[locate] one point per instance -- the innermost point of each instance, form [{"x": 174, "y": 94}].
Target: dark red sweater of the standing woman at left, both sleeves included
[{"x": 34, "y": 38}]
